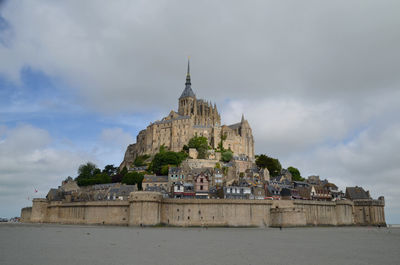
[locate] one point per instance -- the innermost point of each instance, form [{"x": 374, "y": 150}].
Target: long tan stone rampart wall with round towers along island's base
[{"x": 149, "y": 208}]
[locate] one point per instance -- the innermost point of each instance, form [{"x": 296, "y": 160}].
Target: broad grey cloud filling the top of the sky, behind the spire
[{"x": 131, "y": 54}]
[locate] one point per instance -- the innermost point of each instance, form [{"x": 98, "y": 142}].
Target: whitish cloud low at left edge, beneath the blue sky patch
[{"x": 28, "y": 162}]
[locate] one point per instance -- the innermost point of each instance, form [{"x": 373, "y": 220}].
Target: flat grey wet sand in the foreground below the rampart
[{"x": 68, "y": 244}]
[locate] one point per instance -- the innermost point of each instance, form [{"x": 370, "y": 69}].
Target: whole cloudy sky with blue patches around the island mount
[{"x": 318, "y": 81}]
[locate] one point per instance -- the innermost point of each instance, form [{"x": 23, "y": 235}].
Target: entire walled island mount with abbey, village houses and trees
[{"x": 189, "y": 170}]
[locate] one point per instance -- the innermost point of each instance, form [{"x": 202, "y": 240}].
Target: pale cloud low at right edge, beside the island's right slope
[{"x": 369, "y": 160}]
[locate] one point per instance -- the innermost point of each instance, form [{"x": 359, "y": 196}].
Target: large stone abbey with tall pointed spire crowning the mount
[{"x": 194, "y": 117}]
